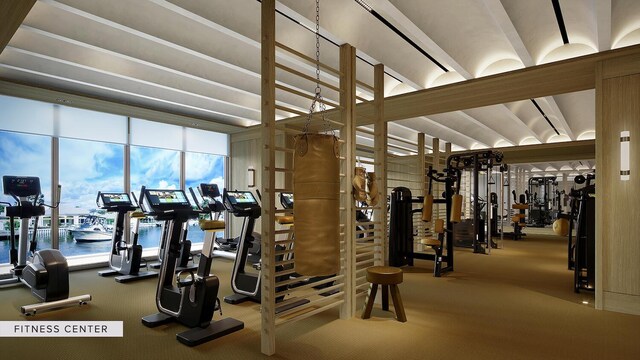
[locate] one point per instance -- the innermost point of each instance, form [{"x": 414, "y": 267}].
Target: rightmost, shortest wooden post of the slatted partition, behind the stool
[{"x": 380, "y": 157}]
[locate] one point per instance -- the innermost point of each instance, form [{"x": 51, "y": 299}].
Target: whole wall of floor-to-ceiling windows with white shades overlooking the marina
[{"x": 90, "y": 152}]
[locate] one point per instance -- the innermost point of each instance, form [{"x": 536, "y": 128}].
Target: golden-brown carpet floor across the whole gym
[{"x": 517, "y": 303}]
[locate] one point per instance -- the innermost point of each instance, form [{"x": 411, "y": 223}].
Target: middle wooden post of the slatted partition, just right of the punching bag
[{"x": 348, "y": 134}]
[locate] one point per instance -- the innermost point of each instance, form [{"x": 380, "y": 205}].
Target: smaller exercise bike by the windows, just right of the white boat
[{"x": 125, "y": 257}]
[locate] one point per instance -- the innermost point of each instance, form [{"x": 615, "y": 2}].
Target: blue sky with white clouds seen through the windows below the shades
[{"x": 87, "y": 167}]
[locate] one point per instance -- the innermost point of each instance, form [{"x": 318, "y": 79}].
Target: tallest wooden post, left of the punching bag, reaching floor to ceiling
[{"x": 268, "y": 99}]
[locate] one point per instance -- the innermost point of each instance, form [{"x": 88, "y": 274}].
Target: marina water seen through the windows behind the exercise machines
[{"x": 149, "y": 237}]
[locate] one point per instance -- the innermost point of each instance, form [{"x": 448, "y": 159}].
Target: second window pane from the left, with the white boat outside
[{"x": 90, "y": 159}]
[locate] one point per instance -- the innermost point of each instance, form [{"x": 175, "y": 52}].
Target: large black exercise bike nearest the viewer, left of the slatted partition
[{"x": 192, "y": 299}]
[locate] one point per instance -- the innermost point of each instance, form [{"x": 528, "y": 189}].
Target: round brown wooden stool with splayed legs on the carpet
[{"x": 389, "y": 277}]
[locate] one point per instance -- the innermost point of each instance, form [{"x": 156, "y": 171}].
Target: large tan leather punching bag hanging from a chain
[{"x": 316, "y": 190}]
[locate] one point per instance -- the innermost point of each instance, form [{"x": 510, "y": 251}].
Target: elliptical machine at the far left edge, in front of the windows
[{"x": 46, "y": 271}]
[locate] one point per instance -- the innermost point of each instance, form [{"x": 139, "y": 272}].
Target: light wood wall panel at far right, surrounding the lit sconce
[{"x": 617, "y": 209}]
